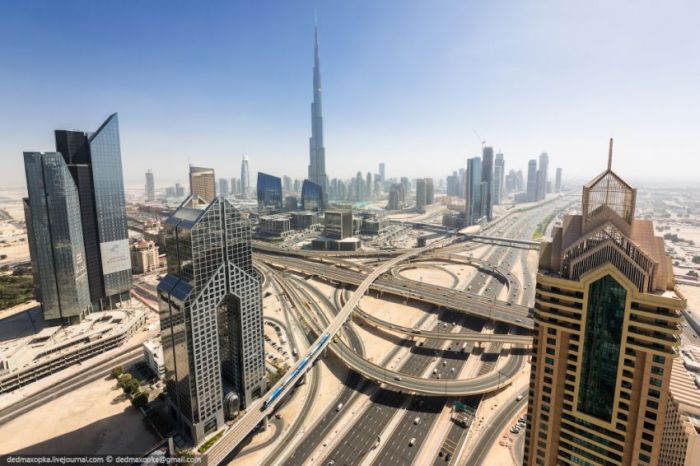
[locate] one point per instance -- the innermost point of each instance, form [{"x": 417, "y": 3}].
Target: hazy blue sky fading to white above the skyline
[{"x": 404, "y": 82}]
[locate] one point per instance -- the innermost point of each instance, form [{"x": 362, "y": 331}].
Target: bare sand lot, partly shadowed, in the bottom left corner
[{"x": 96, "y": 419}]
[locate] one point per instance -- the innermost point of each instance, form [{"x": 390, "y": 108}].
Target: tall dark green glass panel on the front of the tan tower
[{"x": 601, "y": 348}]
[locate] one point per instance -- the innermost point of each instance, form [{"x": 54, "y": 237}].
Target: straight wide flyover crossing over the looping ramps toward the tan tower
[{"x": 506, "y": 312}]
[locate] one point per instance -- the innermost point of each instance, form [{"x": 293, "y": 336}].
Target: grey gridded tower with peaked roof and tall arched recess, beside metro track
[{"x": 210, "y": 314}]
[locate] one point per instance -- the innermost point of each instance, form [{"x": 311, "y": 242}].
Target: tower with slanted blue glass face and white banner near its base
[{"x": 94, "y": 162}]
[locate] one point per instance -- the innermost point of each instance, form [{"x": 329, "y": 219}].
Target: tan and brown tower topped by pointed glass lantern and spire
[{"x": 606, "y": 334}]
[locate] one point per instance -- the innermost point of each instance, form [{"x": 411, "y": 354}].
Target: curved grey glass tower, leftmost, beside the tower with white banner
[{"x": 52, "y": 214}]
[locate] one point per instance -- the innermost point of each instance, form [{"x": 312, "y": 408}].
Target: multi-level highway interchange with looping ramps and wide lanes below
[{"x": 379, "y": 432}]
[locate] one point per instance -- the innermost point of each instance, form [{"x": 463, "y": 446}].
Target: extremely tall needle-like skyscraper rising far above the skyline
[{"x": 317, "y": 153}]
